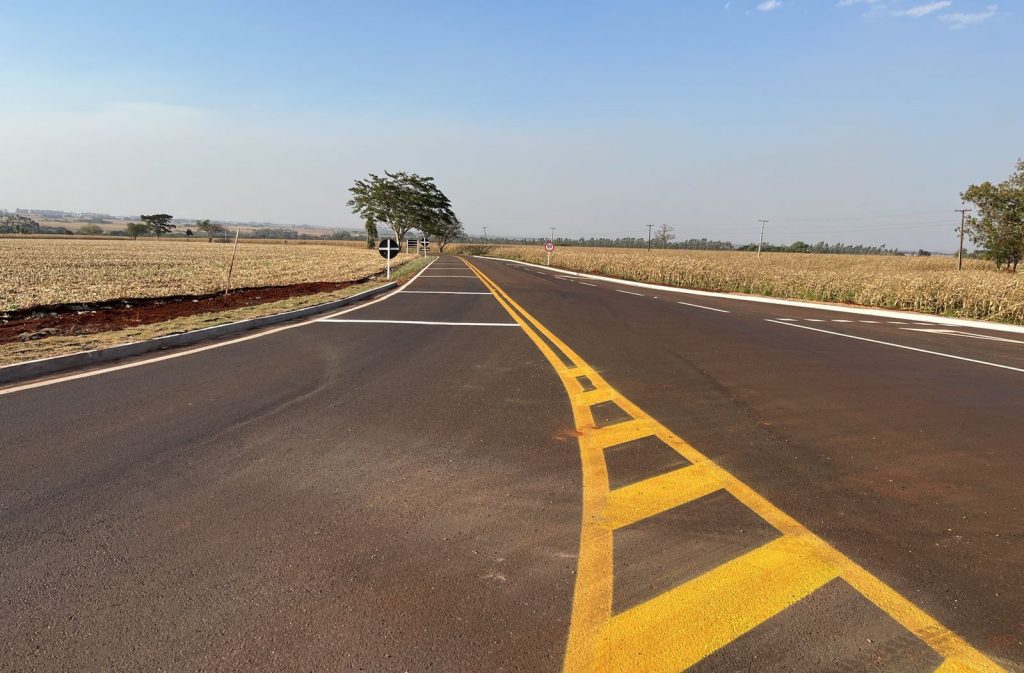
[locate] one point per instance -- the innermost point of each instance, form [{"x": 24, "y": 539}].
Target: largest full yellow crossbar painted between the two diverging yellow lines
[{"x": 680, "y": 627}]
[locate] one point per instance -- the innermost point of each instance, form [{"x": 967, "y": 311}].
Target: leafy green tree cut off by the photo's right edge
[{"x": 999, "y": 226}]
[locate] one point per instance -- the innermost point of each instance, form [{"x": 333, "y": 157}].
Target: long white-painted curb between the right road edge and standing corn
[{"x": 875, "y": 313}]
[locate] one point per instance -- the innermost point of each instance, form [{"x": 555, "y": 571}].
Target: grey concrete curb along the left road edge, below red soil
[{"x": 36, "y": 368}]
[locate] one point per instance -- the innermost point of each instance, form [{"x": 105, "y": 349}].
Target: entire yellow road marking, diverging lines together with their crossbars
[{"x": 678, "y": 628}]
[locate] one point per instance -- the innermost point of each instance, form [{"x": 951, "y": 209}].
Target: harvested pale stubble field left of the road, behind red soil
[{"x": 41, "y": 272}]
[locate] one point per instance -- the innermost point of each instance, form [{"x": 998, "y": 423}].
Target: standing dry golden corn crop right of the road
[{"x": 929, "y": 285}]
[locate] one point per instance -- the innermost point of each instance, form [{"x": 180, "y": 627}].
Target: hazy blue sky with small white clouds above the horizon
[{"x": 838, "y": 120}]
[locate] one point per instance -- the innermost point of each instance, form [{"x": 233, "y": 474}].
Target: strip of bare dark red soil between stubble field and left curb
[{"x": 70, "y": 320}]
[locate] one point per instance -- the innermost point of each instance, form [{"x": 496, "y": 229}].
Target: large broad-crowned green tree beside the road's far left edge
[{"x": 402, "y": 202}]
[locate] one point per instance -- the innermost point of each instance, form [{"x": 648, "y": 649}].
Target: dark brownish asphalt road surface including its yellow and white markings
[{"x": 434, "y": 482}]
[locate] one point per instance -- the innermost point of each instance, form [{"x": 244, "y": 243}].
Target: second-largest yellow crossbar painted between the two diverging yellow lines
[{"x": 638, "y": 501}]
